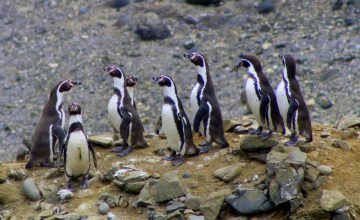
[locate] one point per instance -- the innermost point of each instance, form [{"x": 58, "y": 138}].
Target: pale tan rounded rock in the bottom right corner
[{"x": 332, "y": 200}]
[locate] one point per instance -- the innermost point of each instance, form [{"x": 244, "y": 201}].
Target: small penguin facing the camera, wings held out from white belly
[{"x": 77, "y": 150}]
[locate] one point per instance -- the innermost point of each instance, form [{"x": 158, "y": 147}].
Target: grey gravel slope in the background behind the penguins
[{"x": 43, "y": 41}]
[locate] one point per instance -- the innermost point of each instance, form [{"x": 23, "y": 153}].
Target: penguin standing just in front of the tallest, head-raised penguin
[{"x": 175, "y": 122}]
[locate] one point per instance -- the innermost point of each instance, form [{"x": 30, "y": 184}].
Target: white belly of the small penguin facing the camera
[{"x": 77, "y": 155}]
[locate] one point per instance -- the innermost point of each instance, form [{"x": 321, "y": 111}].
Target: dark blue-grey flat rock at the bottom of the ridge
[{"x": 250, "y": 201}]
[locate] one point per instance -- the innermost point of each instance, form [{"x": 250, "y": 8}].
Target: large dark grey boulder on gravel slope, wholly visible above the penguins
[{"x": 152, "y": 28}]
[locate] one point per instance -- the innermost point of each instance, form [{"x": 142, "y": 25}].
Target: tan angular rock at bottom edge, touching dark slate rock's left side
[{"x": 210, "y": 207}]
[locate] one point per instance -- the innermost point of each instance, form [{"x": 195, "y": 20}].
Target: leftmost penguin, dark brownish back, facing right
[{"x": 50, "y": 127}]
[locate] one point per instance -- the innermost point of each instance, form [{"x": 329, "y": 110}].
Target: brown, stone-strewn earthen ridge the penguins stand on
[{"x": 253, "y": 179}]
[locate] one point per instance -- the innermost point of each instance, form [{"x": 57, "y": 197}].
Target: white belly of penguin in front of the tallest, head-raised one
[{"x": 169, "y": 126}]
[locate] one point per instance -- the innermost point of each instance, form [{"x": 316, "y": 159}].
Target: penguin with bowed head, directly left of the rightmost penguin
[{"x": 261, "y": 98}]
